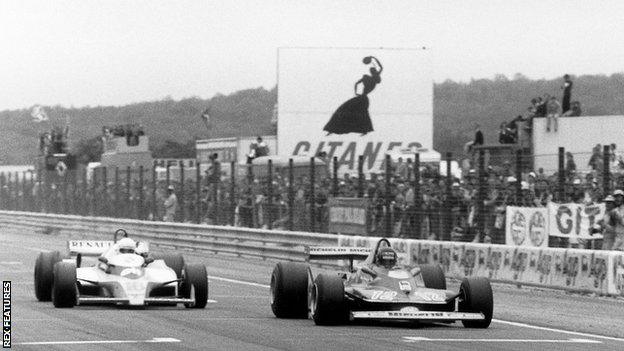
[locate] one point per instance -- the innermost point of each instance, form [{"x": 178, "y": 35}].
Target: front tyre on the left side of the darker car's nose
[{"x": 327, "y": 300}]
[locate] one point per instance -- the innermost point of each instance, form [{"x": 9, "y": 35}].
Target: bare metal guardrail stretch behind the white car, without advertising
[{"x": 232, "y": 240}]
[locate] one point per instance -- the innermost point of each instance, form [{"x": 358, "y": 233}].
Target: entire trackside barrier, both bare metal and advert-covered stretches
[{"x": 601, "y": 272}]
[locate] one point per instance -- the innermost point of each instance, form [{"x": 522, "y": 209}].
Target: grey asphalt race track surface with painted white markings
[{"x": 241, "y": 318}]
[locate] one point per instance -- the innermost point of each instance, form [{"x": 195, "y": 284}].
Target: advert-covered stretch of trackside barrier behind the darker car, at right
[{"x": 600, "y": 272}]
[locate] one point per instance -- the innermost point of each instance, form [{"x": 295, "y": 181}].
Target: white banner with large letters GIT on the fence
[{"x": 574, "y": 220}]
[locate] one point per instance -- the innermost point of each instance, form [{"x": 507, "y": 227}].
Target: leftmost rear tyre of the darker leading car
[{"x": 289, "y": 290}]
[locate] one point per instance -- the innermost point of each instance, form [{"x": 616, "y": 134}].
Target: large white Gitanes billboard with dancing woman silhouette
[{"x": 349, "y": 102}]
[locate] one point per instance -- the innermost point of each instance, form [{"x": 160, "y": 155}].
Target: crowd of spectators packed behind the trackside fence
[{"x": 442, "y": 212}]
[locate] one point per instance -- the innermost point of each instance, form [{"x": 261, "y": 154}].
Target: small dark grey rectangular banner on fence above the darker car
[{"x": 347, "y": 215}]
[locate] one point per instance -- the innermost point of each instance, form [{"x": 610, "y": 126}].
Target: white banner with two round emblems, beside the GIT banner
[{"x": 526, "y": 226}]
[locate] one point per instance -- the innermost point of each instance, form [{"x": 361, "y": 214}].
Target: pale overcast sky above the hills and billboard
[{"x": 113, "y": 52}]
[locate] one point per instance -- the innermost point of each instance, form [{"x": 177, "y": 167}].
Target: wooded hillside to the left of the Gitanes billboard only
[{"x": 246, "y": 112}]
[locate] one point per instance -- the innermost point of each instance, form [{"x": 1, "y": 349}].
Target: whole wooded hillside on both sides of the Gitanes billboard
[{"x": 457, "y": 106}]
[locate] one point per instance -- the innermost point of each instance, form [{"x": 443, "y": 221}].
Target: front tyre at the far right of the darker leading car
[{"x": 475, "y": 295}]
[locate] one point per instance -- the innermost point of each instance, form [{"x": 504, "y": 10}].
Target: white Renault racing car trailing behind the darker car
[{"x": 123, "y": 274}]
